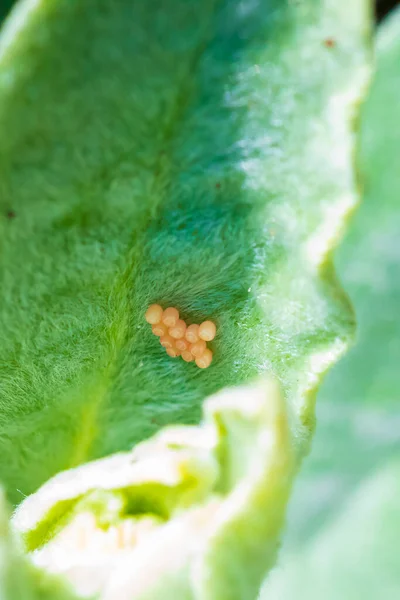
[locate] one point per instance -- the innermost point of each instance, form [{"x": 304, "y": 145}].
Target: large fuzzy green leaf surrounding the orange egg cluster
[{"x": 192, "y": 153}]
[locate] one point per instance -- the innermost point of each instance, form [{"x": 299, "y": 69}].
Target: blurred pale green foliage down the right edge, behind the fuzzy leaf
[{"x": 344, "y": 522}]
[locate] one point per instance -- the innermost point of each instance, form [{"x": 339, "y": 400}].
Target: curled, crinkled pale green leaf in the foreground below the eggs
[{"x": 194, "y": 513}]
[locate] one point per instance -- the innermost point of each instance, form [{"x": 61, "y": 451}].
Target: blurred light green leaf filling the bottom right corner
[{"x": 355, "y": 555}]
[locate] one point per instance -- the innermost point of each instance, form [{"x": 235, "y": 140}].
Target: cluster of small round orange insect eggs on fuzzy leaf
[{"x": 179, "y": 339}]
